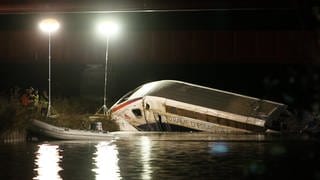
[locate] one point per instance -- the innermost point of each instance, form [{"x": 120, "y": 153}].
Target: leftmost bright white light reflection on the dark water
[{"x": 47, "y": 162}]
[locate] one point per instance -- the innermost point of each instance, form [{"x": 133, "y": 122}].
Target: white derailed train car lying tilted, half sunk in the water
[{"x": 170, "y": 105}]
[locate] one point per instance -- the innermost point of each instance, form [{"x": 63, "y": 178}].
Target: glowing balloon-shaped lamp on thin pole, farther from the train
[{"x": 49, "y": 26}]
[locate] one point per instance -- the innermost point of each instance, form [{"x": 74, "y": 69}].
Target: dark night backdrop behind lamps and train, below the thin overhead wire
[{"x": 269, "y": 53}]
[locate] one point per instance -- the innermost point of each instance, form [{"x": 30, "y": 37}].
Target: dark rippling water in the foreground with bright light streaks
[{"x": 164, "y": 156}]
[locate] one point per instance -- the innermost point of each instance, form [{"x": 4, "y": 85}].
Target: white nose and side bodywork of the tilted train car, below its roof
[{"x": 154, "y": 112}]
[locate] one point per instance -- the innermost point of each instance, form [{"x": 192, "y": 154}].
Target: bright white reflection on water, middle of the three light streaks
[{"x": 106, "y": 161}]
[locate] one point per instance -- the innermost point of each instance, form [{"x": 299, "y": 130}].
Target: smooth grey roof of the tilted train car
[{"x": 208, "y": 97}]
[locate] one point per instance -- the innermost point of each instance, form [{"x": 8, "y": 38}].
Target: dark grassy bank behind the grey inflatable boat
[{"x": 72, "y": 113}]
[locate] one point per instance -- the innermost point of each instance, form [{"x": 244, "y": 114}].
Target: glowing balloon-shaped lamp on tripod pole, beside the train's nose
[{"x": 107, "y": 29}]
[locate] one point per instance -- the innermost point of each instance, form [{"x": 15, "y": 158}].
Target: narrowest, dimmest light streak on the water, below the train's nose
[{"x": 145, "y": 158}]
